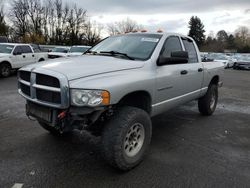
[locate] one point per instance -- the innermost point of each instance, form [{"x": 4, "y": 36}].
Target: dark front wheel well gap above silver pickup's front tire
[{"x": 139, "y": 99}]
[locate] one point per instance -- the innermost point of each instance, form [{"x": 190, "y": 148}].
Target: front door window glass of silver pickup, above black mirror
[{"x": 172, "y": 44}]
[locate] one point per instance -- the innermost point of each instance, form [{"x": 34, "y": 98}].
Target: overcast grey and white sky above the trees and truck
[{"x": 172, "y": 15}]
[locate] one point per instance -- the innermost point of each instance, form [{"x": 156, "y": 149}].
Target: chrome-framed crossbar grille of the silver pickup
[{"x": 43, "y": 89}]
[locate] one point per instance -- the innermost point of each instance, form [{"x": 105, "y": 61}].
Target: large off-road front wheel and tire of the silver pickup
[{"x": 126, "y": 137}]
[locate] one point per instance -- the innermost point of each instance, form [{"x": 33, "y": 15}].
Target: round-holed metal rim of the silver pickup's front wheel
[{"x": 134, "y": 140}]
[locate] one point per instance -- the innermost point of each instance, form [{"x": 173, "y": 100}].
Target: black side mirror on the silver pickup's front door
[{"x": 178, "y": 57}]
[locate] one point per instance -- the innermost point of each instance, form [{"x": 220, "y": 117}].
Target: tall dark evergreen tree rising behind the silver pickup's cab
[{"x": 196, "y": 30}]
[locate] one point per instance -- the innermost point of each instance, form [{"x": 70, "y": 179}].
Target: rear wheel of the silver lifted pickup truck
[{"x": 207, "y": 104}]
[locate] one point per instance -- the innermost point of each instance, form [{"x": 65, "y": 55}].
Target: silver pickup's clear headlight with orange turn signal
[{"x": 89, "y": 97}]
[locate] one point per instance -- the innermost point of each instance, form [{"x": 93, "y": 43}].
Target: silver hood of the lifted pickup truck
[{"x": 87, "y": 65}]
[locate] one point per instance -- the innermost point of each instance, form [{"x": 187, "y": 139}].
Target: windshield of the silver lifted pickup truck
[{"x": 132, "y": 46}]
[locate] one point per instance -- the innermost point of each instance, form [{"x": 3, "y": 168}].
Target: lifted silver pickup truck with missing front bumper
[{"x": 117, "y": 86}]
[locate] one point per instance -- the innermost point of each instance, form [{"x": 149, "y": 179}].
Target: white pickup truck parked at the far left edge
[{"x": 15, "y": 56}]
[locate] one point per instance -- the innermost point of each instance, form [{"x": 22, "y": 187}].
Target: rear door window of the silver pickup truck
[{"x": 190, "y": 48}]
